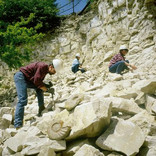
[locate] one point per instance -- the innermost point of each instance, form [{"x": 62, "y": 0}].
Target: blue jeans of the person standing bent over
[{"x": 21, "y": 87}]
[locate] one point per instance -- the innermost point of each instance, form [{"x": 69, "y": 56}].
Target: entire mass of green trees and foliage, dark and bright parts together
[{"x": 22, "y": 23}]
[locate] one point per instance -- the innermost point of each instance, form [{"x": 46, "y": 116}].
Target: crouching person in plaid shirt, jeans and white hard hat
[{"x": 118, "y": 62}]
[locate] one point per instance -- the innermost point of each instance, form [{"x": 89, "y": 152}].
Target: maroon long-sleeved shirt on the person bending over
[{"x": 35, "y": 73}]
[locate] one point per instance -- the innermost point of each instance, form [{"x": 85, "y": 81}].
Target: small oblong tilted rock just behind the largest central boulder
[{"x": 73, "y": 101}]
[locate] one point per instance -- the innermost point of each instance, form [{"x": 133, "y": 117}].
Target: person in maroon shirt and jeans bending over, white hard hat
[{"x": 32, "y": 76}]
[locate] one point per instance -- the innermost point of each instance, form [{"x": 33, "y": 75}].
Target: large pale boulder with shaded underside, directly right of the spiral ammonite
[{"x": 90, "y": 119}]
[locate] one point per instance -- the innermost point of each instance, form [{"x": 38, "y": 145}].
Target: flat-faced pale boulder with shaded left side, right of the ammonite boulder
[{"x": 122, "y": 136}]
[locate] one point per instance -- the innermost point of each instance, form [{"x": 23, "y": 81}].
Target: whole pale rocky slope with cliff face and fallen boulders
[{"x": 96, "y": 113}]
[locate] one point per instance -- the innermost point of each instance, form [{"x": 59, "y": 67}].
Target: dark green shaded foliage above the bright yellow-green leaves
[{"x": 44, "y": 10}]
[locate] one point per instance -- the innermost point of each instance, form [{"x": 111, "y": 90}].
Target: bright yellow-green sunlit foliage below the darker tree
[{"x": 16, "y": 42}]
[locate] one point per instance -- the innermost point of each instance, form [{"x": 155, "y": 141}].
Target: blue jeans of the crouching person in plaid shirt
[{"x": 118, "y": 67}]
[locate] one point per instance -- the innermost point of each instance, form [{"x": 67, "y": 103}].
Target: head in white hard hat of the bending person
[{"x": 55, "y": 66}]
